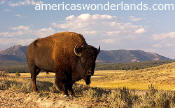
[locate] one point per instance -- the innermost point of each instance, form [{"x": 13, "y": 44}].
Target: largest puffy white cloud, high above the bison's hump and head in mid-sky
[{"x": 99, "y": 25}]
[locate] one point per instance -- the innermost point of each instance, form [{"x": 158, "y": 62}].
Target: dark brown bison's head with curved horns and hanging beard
[{"x": 87, "y": 55}]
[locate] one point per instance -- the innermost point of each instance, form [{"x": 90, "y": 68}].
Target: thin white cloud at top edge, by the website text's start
[{"x": 24, "y": 2}]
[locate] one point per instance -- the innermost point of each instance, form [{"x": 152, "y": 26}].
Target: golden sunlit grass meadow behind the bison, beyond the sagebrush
[{"x": 161, "y": 77}]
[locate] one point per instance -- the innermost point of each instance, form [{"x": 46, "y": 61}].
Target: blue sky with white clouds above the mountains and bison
[{"x": 151, "y": 31}]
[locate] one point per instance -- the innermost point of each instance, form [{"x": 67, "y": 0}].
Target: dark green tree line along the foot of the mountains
[{"x": 23, "y": 68}]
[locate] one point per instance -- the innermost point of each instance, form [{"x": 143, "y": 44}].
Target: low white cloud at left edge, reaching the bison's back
[{"x": 23, "y": 35}]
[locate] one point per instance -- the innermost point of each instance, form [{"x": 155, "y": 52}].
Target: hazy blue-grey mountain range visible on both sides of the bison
[{"x": 17, "y": 54}]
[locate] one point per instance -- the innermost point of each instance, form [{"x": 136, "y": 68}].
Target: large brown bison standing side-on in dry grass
[{"x": 67, "y": 55}]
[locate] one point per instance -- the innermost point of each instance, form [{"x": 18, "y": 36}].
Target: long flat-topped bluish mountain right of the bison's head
[{"x": 123, "y": 56}]
